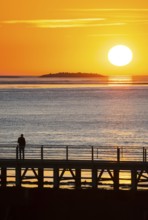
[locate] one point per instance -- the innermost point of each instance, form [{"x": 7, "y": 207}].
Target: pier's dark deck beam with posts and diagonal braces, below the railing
[{"x": 137, "y": 169}]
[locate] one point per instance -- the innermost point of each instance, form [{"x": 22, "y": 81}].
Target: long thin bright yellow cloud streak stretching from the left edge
[{"x": 64, "y": 23}]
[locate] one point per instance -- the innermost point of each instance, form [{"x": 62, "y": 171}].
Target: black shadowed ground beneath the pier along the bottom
[{"x": 45, "y": 204}]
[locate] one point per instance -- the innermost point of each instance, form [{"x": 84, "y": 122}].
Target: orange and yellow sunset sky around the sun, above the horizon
[{"x": 41, "y": 37}]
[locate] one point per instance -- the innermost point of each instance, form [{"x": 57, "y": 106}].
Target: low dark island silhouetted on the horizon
[{"x": 68, "y": 74}]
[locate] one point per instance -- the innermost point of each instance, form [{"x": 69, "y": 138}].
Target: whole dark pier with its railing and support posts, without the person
[{"x": 92, "y": 167}]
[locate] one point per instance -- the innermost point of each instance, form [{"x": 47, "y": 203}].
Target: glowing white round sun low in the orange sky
[{"x": 120, "y": 55}]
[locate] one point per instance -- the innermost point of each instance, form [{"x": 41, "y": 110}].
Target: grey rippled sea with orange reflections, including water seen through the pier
[{"x": 59, "y": 113}]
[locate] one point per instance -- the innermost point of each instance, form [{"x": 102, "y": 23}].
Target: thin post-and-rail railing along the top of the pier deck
[{"x": 92, "y": 153}]
